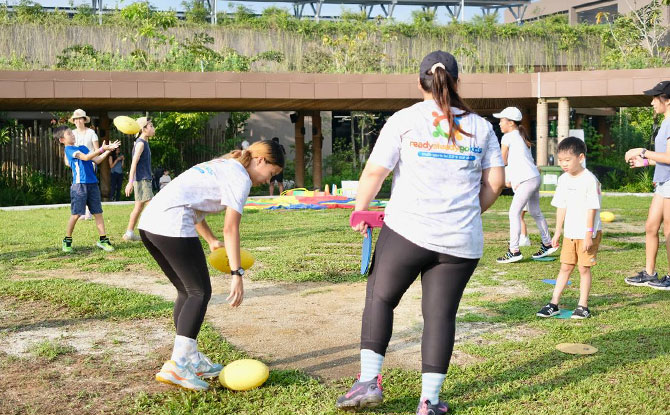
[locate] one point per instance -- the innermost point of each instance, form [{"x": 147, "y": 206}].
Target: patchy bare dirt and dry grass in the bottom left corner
[{"x": 104, "y": 364}]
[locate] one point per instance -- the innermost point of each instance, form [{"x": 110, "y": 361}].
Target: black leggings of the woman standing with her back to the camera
[{"x": 395, "y": 265}]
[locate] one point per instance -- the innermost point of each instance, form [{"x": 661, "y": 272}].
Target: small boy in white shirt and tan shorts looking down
[{"x": 577, "y": 200}]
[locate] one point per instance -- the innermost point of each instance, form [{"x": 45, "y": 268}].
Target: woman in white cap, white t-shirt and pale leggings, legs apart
[{"x": 524, "y": 178}]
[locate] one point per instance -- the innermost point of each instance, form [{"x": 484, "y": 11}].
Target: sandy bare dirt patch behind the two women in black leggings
[{"x": 316, "y": 326}]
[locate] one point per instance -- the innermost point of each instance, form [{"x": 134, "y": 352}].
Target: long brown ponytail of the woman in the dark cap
[{"x": 443, "y": 87}]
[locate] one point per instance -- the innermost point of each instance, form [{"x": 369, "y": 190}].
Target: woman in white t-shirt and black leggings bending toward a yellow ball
[{"x": 169, "y": 229}]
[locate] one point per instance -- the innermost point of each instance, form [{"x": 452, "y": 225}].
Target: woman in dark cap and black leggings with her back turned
[{"x": 447, "y": 170}]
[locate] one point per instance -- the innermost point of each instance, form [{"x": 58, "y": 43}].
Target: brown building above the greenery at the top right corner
[{"x": 583, "y": 11}]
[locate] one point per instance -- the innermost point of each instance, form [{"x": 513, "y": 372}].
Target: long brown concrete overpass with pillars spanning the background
[{"x": 310, "y": 94}]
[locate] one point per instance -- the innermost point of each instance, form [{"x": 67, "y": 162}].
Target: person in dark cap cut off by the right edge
[{"x": 659, "y": 211}]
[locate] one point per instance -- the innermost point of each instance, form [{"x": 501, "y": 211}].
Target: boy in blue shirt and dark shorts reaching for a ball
[{"x": 84, "y": 190}]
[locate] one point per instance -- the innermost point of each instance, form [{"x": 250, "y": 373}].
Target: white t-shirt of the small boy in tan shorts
[{"x": 578, "y": 194}]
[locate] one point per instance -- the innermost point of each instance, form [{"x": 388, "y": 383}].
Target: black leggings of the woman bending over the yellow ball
[{"x": 183, "y": 261}]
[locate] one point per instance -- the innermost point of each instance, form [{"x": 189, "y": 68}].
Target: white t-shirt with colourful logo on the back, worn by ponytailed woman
[{"x": 435, "y": 194}]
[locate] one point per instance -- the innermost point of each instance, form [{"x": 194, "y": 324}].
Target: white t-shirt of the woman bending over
[{"x": 203, "y": 189}]
